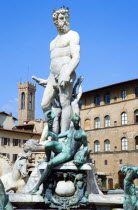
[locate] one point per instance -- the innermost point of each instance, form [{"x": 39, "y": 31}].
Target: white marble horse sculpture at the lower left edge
[{"x": 13, "y": 176}]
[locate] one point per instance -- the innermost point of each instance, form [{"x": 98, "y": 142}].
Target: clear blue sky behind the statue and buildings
[{"x": 109, "y": 43}]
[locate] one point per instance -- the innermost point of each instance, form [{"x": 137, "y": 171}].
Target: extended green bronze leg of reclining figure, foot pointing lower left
[{"x": 60, "y": 158}]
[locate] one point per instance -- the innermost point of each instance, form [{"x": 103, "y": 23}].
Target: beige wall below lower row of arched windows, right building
[{"x": 113, "y": 167}]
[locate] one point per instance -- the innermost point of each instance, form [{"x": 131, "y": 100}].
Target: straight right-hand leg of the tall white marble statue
[{"x": 65, "y": 97}]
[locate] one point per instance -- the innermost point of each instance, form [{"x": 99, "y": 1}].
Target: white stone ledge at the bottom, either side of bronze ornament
[{"x": 96, "y": 202}]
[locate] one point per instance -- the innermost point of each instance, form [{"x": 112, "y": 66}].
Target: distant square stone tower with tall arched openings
[{"x": 26, "y": 102}]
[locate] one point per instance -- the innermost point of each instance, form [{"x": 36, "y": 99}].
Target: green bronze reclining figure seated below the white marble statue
[{"x": 64, "y": 151}]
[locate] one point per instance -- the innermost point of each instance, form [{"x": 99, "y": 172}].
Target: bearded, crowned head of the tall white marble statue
[{"x": 61, "y": 19}]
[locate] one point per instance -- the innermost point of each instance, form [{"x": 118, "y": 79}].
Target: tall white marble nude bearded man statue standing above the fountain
[{"x": 65, "y": 56}]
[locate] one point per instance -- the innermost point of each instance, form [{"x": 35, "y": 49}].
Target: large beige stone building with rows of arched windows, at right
[{"x": 109, "y": 115}]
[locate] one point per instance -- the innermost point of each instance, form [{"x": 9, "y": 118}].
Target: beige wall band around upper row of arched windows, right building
[{"x": 114, "y": 110}]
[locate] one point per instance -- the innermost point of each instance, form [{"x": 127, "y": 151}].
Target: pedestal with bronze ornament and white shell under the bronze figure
[{"x": 67, "y": 187}]
